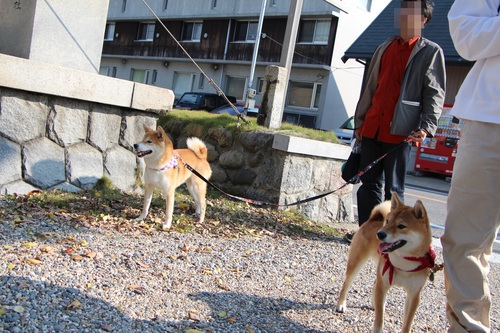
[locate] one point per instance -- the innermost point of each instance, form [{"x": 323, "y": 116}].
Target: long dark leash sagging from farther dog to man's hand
[{"x": 353, "y": 180}]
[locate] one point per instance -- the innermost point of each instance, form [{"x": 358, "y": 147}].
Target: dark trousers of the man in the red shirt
[{"x": 392, "y": 168}]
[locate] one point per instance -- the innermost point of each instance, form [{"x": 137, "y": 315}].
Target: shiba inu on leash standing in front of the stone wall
[{"x": 166, "y": 171}]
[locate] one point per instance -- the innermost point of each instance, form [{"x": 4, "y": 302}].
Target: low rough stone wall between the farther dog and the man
[{"x": 254, "y": 165}]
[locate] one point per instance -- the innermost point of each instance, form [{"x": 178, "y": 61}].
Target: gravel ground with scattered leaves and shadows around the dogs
[{"x": 67, "y": 277}]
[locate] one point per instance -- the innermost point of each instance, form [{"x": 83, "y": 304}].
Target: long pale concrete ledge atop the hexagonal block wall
[{"x": 38, "y": 77}]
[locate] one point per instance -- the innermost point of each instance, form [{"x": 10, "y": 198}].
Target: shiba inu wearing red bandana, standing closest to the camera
[{"x": 399, "y": 238}]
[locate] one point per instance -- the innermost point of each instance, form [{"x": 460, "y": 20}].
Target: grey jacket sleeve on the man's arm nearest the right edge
[{"x": 433, "y": 92}]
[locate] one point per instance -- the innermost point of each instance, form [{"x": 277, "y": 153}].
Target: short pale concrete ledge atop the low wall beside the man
[{"x": 310, "y": 147}]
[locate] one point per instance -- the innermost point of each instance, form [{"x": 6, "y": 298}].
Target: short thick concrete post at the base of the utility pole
[{"x": 273, "y": 98}]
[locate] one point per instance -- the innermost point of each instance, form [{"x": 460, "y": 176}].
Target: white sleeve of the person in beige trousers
[{"x": 475, "y": 28}]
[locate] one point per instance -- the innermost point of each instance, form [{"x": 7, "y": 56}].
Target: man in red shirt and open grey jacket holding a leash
[{"x": 403, "y": 96}]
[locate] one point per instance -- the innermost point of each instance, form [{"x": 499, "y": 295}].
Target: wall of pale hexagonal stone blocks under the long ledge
[{"x": 49, "y": 142}]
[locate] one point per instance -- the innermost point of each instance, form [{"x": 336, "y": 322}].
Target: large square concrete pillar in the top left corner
[{"x": 67, "y": 33}]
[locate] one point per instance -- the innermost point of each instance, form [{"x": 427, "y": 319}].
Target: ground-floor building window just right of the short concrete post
[{"x": 303, "y": 94}]
